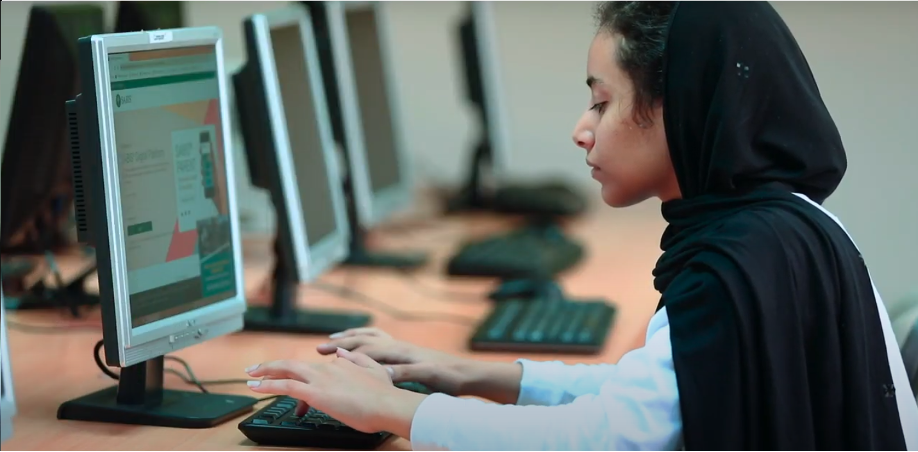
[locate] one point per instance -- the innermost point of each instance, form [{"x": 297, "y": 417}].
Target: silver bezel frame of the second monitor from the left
[{"x": 312, "y": 261}]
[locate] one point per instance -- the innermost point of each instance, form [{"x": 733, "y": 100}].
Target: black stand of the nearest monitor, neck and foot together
[{"x": 139, "y": 399}]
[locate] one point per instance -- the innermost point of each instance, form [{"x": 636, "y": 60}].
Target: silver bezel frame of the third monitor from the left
[{"x": 372, "y": 207}]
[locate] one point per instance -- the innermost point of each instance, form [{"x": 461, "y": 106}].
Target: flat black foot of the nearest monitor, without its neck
[{"x": 178, "y": 409}]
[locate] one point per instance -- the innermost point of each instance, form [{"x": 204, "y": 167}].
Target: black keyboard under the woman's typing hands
[{"x": 277, "y": 425}]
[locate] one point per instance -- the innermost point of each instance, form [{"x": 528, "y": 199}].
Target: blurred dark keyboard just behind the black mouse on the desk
[{"x": 532, "y": 252}]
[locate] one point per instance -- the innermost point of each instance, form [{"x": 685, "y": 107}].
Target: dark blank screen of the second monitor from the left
[{"x": 306, "y": 147}]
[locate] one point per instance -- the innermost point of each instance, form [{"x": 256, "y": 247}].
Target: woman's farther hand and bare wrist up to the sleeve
[{"x": 439, "y": 371}]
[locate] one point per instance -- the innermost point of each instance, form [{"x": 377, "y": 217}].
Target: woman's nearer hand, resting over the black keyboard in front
[{"x": 353, "y": 389}]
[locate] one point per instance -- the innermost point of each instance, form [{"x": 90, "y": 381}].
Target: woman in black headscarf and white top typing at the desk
[{"x": 769, "y": 334}]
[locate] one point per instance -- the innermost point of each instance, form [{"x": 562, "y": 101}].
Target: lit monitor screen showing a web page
[{"x": 174, "y": 200}]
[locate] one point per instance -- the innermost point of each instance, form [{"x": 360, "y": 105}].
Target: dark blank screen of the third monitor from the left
[{"x": 375, "y": 106}]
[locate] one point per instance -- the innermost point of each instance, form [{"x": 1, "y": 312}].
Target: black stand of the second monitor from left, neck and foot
[{"x": 284, "y": 317}]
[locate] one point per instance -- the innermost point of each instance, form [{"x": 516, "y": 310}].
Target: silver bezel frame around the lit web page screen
[{"x": 136, "y": 345}]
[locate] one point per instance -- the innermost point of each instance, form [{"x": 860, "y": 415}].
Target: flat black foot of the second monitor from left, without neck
[{"x": 300, "y": 321}]
